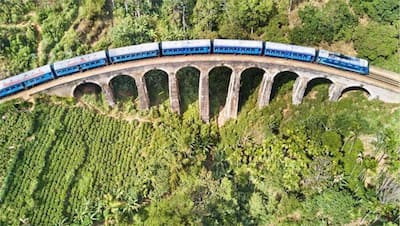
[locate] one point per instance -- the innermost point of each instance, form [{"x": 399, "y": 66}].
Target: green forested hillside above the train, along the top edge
[{"x": 33, "y": 33}]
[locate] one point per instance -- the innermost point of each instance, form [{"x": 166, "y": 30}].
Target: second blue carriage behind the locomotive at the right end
[{"x": 232, "y": 46}]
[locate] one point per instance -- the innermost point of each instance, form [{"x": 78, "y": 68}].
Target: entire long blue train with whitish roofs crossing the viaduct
[{"x": 172, "y": 48}]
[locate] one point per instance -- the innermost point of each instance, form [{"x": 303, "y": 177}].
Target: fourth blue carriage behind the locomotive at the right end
[{"x": 134, "y": 52}]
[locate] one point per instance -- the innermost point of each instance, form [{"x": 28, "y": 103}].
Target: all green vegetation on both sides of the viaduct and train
[{"x": 76, "y": 161}]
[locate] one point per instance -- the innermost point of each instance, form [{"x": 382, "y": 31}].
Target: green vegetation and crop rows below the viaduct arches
[{"x": 333, "y": 164}]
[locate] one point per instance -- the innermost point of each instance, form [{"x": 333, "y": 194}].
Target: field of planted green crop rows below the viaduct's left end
[{"x": 74, "y": 156}]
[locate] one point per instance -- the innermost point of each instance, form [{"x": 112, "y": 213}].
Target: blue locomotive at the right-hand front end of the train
[{"x": 344, "y": 62}]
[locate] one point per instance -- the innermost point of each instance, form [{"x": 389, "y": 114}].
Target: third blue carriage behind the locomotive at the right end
[{"x": 183, "y": 47}]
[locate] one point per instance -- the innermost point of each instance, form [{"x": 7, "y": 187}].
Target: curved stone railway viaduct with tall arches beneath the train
[{"x": 379, "y": 84}]
